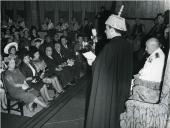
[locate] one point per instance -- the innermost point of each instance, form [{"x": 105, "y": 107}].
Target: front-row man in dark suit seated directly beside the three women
[{"x": 56, "y": 69}]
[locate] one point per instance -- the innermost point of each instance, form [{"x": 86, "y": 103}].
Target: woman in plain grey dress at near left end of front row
[{"x": 17, "y": 86}]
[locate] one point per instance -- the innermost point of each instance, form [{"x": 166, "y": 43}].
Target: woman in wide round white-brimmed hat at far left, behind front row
[{"x": 11, "y": 50}]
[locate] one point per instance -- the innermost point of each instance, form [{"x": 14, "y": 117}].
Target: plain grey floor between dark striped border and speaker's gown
[{"x": 71, "y": 115}]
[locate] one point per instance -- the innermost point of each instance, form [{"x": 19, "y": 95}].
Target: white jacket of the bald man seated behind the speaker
[{"x": 153, "y": 68}]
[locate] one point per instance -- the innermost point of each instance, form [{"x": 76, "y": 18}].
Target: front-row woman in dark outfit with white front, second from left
[{"x": 32, "y": 77}]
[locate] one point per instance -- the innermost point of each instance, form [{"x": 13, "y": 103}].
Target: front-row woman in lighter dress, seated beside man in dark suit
[{"x": 41, "y": 68}]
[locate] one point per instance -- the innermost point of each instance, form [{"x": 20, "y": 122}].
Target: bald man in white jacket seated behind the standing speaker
[{"x": 147, "y": 82}]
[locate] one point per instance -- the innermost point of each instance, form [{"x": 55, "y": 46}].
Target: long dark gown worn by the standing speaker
[{"x": 112, "y": 72}]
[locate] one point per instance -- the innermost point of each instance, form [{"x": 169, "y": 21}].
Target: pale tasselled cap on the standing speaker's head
[{"x": 116, "y": 21}]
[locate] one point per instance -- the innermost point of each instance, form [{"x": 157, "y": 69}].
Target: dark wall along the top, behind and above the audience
[{"x": 34, "y": 12}]
